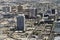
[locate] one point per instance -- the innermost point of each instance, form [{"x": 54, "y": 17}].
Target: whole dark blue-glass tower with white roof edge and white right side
[{"x": 21, "y": 22}]
